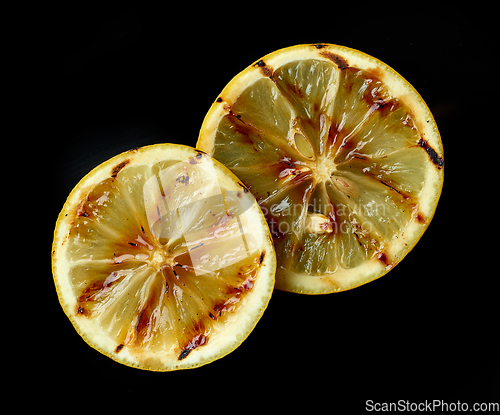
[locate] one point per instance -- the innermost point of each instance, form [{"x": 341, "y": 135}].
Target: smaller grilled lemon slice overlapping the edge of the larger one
[{"x": 162, "y": 259}]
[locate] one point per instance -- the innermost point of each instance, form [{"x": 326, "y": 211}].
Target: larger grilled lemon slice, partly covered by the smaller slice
[{"x": 342, "y": 154}]
